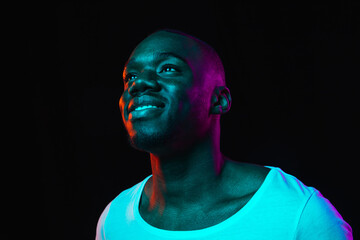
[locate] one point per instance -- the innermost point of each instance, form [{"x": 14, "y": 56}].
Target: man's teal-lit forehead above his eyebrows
[{"x": 173, "y": 45}]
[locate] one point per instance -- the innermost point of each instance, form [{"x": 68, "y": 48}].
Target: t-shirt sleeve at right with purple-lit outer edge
[{"x": 320, "y": 220}]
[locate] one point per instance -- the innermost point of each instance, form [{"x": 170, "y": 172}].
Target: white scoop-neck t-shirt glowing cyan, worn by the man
[{"x": 282, "y": 208}]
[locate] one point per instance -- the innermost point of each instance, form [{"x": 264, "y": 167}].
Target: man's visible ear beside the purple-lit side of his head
[{"x": 220, "y": 100}]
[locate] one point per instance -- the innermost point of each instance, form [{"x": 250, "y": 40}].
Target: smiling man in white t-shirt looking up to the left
[{"x": 174, "y": 95}]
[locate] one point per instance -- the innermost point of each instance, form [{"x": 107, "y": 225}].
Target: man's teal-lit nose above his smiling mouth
[{"x": 146, "y": 81}]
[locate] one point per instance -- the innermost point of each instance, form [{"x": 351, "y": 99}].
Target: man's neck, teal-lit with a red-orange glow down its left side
[{"x": 188, "y": 177}]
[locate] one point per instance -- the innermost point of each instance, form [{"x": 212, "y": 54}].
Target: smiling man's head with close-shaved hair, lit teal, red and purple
[{"x": 174, "y": 92}]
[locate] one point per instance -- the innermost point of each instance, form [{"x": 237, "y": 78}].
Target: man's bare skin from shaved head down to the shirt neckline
[{"x": 193, "y": 184}]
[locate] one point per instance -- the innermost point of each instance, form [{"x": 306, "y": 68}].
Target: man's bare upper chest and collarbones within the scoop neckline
[{"x": 236, "y": 185}]
